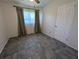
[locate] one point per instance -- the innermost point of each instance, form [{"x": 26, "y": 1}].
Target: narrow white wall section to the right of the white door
[{"x": 73, "y": 34}]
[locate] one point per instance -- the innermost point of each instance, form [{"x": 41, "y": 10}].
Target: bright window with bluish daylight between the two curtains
[{"x": 29, "y": 16}]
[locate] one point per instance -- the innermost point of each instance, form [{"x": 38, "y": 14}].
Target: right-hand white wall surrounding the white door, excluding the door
[{"x": 50, "y": 15}]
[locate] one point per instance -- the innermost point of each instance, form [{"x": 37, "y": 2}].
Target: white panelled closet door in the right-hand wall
[{"x": 64, "y": 21}]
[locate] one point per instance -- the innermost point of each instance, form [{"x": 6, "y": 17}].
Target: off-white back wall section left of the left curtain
[{"x": 10, "y": 16}]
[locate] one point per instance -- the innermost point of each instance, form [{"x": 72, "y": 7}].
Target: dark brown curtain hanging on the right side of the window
[{"x": 37, "y": 22}]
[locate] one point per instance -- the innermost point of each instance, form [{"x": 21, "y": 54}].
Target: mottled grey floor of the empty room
[{"x": 37, "y": 46}]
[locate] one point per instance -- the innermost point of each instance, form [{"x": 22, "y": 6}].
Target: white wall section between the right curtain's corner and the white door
[{"x": 49, "y": 20}]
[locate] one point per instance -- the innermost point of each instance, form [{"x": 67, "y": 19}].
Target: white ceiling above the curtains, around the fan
[{"x": 27, "y": 3}]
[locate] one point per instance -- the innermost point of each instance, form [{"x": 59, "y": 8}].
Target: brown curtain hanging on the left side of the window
[{"x": 21, "y": 25}]
